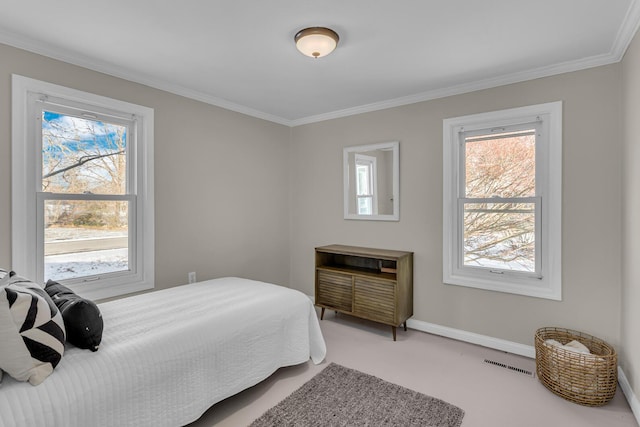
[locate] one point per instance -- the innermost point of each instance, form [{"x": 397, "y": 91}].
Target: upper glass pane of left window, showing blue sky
[{"x": 81, "y": 155}]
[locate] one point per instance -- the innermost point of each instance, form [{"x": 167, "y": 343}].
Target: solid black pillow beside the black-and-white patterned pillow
[{"x": 82, "y": 317}]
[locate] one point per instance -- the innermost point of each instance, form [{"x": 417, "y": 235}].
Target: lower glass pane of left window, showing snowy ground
[{"x": 85, "y": 238}]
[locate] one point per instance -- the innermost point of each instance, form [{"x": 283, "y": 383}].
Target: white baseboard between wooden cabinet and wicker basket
[{"x": 470, "y": 337}]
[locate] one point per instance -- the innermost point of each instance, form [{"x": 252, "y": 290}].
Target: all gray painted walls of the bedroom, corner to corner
[{"x": 237, "y": 195}]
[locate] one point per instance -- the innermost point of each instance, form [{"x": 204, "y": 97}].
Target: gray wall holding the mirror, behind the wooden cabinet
[{"x": 591, "y": 205}]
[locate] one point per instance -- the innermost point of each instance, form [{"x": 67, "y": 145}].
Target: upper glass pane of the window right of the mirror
[{"x": 501, "y": 165}]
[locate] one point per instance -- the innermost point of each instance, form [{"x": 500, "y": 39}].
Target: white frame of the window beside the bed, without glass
[{"x": 26, "y": 186}]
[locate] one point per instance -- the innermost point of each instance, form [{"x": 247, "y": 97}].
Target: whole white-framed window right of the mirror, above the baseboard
[{"x": 502, "y": 200}]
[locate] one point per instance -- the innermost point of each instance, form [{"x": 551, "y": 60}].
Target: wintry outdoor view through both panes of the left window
[{"x": 83, "y": 156}]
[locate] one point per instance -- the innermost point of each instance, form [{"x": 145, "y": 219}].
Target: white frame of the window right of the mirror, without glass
[{"x": 547, "y": 282}]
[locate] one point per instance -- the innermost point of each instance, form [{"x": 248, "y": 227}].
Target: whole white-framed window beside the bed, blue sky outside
[{"x": 82, "y": 193}]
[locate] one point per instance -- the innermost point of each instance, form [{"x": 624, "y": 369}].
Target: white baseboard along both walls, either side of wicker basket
[{"x": 515, "y": 348}]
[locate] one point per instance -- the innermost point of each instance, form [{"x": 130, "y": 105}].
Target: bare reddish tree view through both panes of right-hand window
[{"x": 499, "y": 229}]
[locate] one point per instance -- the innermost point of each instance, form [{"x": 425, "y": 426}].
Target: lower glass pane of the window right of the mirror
[{"x": 500, "y": 235}]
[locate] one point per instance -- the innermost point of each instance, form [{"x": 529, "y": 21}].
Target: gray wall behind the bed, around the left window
[{"x": 221, "y": 178}]
